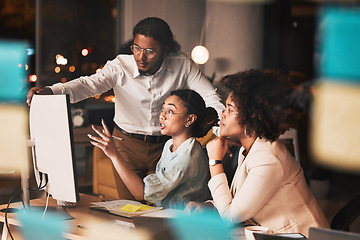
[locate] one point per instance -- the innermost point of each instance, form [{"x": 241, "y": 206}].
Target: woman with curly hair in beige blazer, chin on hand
[{"x": 269, "y": 186}]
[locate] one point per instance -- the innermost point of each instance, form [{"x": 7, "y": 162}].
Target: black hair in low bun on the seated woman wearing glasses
[{"x": 207, "y": 117}]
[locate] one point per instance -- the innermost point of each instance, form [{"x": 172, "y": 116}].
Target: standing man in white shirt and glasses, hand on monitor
[{"x": 141, "y": 83}]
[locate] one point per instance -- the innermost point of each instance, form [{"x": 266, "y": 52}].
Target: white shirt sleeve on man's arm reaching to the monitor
[{"x": 88, "y": 86}]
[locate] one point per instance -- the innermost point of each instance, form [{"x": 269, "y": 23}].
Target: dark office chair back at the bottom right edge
[{"x": 346, "y": 215}]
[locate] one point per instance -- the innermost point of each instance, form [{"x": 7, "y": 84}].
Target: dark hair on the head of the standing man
[{"x": 159, "y": 30}]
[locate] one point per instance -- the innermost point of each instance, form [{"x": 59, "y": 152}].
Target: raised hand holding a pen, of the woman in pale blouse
[{"x": 105, "y": 141}]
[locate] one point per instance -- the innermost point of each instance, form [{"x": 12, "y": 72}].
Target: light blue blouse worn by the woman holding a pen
[{"x": 181, "y": 176}]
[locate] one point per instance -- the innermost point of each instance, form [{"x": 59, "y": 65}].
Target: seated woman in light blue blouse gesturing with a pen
[{"x": 182, "y": 171}]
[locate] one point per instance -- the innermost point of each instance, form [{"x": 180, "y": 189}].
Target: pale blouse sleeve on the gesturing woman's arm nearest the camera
[{"x": 163, "y": 181}]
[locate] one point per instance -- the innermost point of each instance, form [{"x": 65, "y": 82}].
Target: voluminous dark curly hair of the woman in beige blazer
[{"x": 262, "y": 99}]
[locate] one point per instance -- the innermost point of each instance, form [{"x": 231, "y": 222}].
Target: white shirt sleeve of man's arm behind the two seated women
[{"x": 199, "y": 83}]
